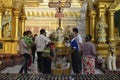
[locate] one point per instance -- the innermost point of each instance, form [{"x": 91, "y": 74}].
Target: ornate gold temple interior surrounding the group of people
[{"x": 17, "y": 16}]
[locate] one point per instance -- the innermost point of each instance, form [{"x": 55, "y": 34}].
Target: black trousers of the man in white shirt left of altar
[{"x": 39, "y": 61}]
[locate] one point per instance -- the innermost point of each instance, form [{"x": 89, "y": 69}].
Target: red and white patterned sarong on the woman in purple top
[{"x": 88, "y": 64}]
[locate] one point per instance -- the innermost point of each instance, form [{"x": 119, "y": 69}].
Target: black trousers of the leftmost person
[{"x": 25, "y": 64}]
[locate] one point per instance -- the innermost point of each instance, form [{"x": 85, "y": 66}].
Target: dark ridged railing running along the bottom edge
[{"x": 35, "y": 76}]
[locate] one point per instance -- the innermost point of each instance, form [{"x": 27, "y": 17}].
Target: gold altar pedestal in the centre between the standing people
[{"x": 61, "y": 64}]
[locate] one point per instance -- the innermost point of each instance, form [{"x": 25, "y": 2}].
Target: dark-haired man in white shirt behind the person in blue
[{"x": 78, "y": 38}]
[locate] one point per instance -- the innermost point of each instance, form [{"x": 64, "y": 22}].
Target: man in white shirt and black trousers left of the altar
[{"x": 40, "y": 42}]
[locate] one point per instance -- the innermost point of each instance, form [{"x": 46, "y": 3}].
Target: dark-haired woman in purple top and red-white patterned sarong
[{"x": 88, "y": 53}]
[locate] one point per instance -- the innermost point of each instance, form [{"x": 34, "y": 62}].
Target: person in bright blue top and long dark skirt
[{"x": 75, "y": 56}]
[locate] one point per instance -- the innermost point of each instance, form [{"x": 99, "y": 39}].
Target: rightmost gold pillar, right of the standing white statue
[{"x": 111, "y": 25}]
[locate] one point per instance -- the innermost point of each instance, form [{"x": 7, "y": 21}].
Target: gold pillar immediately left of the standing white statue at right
[{"x": 92, "y": 24}]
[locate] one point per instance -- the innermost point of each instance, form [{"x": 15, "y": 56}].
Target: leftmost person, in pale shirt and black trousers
[{"x": 25, "y": 51}]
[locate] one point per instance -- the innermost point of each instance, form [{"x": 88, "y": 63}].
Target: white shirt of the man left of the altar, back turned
[{"x": 40, "y": 42}]
